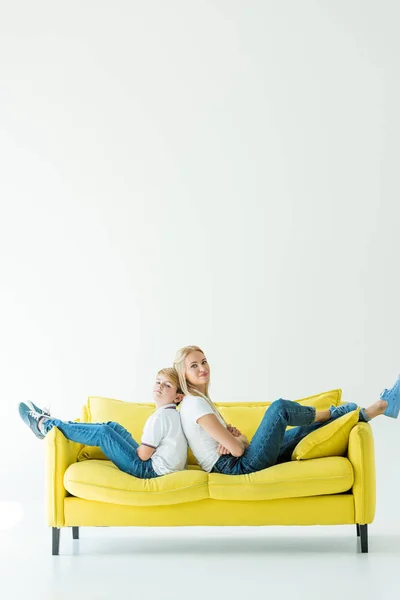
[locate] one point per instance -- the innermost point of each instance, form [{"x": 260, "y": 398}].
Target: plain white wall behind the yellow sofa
[{"x": 218, "y": 173}]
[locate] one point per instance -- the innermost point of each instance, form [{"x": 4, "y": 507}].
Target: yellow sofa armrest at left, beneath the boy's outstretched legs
[{"x": 60, "y": 454}]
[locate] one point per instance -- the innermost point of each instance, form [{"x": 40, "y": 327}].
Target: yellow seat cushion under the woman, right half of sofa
[{"x": 315, "y": 477}]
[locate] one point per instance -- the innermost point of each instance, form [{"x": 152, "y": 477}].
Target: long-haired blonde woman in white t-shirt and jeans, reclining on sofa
[{"x": 222, "y": 448}]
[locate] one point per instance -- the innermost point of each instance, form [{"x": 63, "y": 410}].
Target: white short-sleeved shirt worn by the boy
[{"x": 163, "y": 431}]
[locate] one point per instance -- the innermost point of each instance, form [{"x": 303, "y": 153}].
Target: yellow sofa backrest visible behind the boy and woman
[{"x": 246, "y": 416}]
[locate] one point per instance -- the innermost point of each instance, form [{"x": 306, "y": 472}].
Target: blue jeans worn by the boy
[{"x": 113, "y": 439}]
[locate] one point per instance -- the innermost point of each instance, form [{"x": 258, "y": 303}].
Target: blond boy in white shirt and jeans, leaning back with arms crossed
[{"x": 163, "y": 449}]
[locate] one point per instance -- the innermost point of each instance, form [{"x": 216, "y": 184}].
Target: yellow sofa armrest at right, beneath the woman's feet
[{"x": 362, "y": 456}]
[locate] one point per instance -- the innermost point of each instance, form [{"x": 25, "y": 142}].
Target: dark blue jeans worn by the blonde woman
[{"x": 271, "y": 443}]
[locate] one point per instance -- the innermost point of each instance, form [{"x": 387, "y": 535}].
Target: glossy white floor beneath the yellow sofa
[{"x": 197, "y": 563}]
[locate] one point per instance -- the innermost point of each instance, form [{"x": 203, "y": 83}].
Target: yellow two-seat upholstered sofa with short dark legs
[{"x": 85, "y": 489}]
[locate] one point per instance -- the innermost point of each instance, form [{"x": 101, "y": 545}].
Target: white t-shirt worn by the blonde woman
[{"x": 203, "y": 446}]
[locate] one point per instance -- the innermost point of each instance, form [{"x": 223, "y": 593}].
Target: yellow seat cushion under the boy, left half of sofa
[{"x": 102, "y": 481}]
